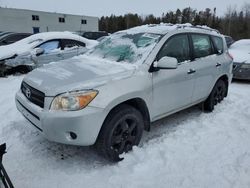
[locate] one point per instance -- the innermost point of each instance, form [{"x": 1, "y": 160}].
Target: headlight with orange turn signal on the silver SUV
[{"x": 73, "y": 101}]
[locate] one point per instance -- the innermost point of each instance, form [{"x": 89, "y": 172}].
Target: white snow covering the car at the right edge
[{"x": 240, "y": 51}]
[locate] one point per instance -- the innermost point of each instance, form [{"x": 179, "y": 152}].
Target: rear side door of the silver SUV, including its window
[{"x": 204, "y": 64}]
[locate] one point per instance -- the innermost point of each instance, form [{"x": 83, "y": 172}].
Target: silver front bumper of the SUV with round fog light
[{"x": 58, "y": 126}]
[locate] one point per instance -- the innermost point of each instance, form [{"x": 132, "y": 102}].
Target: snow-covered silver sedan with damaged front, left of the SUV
[{"x": 40, "y": 49}]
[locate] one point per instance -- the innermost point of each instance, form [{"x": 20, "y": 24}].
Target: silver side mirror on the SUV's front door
[{"x": 166, "y": 63}]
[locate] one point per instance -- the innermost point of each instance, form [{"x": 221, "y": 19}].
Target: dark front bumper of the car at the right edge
[{"x": 240, "y": 73}]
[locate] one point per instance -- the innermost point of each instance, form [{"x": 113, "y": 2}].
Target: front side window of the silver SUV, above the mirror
[{"x": 177, "y": 47}]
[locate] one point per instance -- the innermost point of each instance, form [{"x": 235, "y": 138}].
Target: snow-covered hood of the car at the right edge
[{"x": 240, "y": 56}]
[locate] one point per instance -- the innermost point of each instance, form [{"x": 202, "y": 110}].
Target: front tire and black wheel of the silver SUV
[{"x": 121, "y": 131}]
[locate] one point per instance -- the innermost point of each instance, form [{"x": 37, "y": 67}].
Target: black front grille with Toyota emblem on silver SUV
[{"x": 33, "y": 95}]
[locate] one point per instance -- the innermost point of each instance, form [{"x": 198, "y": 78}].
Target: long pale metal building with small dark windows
[{"x": 29, "y": 21}]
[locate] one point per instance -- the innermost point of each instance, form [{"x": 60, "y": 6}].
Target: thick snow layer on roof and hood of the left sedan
[{"x": 25, "y": 45}]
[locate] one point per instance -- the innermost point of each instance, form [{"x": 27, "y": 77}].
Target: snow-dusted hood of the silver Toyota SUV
[{"x": 78, "y": 73}]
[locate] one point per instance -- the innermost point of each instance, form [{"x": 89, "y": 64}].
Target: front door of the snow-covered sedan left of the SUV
[{"x": 52, "y": 52}]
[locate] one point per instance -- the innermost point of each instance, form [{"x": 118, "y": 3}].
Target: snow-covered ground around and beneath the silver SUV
[{"x": 190, "y": 149}]
